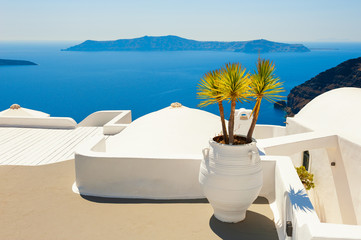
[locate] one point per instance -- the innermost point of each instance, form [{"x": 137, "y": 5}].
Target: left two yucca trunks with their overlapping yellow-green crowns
[{"x": 230, "y": 83}]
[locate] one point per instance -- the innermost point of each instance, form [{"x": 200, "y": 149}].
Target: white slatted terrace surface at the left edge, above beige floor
[{"x": 35, "y": 146}]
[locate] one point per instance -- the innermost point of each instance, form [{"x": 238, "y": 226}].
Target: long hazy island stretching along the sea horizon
[{"x": 175, "y": 43}]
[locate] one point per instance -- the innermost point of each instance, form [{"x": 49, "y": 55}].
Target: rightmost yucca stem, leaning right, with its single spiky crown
[{"x": 264, "y": 84}]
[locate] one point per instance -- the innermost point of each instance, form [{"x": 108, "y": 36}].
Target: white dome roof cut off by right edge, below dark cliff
[{"x": 337, "y": 111}]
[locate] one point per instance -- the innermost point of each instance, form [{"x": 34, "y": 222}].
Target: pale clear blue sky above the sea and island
[{"x": 223, "y": 20}]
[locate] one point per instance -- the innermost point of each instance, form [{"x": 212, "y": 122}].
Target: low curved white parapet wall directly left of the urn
[{"x": 99, "y": 173}]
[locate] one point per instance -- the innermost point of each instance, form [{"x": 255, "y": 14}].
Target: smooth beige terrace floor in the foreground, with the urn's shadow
[{"x": 36, "y": 202}]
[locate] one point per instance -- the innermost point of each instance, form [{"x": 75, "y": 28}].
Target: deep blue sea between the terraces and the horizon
[{"x": 76, "y": 84}]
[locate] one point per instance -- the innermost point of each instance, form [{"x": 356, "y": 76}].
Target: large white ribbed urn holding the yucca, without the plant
[{"x": 231, "y": 178}]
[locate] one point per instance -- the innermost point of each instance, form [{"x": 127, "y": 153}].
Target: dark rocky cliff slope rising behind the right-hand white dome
[{"x": 346, "y": 74}]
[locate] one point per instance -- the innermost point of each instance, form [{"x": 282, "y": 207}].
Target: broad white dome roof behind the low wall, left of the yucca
[{"x": 168, "y": 132}]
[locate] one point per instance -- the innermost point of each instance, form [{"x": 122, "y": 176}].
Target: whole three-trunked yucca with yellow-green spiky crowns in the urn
[{"x": 232, "y": 83}]
